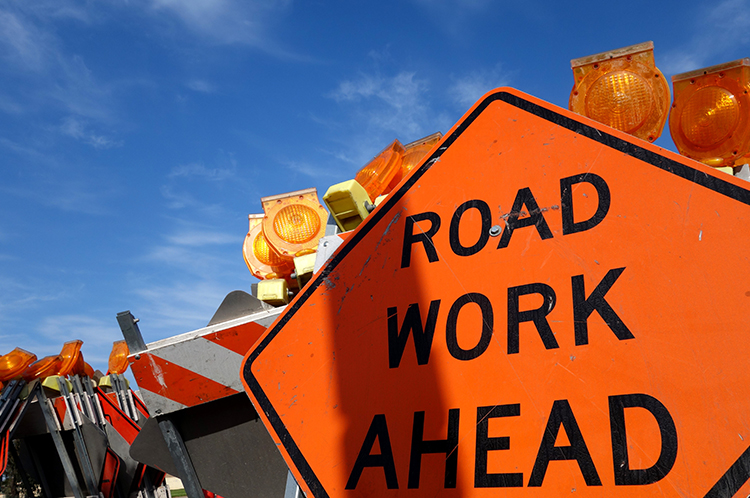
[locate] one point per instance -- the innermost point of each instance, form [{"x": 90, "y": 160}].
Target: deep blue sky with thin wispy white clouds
[{"x": 137, "y": 135}]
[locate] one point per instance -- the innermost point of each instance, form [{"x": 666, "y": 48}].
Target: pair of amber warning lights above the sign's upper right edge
[{"x": 710, "y": 115}]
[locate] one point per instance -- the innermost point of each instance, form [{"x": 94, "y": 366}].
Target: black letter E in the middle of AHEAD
[{"x": 486, "y": 444}]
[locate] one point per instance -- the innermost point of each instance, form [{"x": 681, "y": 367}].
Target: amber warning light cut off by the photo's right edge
[{"x": 710, "y": 119}]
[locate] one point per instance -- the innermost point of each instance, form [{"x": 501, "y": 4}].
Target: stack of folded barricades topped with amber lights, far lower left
[{"x": 73, "y": 398}]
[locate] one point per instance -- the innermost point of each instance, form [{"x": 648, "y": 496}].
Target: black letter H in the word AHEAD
[{"x": 449, "y": 446}]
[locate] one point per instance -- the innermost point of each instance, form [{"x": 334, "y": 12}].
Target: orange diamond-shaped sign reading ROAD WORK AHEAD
[{"x": 545, "y": 307}]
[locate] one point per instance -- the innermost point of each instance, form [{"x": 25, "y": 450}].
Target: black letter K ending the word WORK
[{"x": 583, "y": 307}]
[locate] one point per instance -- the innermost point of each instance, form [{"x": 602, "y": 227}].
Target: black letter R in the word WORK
[{"x": 538, "y": 316}]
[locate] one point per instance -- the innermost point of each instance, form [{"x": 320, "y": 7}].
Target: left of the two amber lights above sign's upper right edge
[{"x": 623, "y": 89}]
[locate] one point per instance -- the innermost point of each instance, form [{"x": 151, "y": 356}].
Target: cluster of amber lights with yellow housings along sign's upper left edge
[{"x": 281, "y": 245}]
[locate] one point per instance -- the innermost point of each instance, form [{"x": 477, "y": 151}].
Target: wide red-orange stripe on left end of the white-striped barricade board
[{"x": 175, "y": 382}]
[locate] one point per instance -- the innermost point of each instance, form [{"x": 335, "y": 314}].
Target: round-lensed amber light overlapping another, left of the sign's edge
[{"x": 294, "y": 222}]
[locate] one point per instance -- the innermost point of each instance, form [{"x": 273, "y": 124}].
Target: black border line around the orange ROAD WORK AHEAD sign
[{"x": 682, "y": 170}]
